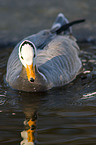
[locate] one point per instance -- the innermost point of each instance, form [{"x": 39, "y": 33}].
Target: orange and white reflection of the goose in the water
[{"x": 31, "y": 103}]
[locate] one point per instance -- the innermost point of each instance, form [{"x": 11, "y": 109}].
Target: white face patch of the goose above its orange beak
[{"x": 27, "y": 54}]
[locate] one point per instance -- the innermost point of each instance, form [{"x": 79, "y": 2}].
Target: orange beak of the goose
[{"x": 30, "y": 72}]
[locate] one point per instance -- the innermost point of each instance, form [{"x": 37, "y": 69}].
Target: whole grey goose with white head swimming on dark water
[{"x": 45, "y": 60}]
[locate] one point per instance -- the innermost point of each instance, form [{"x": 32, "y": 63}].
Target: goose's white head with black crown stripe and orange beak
[{"x": 27, "y": 56}]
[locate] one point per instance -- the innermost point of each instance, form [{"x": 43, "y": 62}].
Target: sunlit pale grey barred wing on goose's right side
[{"x": 60, "y": 62}]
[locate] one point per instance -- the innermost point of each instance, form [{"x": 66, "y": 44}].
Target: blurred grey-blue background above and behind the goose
[{"x": 19, "y": 19}]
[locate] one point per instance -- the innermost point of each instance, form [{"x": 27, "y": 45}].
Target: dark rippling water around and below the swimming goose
[{"x": 66, "y": 115}]
